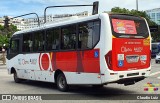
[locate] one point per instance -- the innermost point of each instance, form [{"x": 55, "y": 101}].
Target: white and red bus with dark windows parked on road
[{"x": 95, "y": 50}]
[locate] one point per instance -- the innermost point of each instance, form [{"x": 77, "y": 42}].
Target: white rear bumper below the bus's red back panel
[{"x": 122, "y": 77}]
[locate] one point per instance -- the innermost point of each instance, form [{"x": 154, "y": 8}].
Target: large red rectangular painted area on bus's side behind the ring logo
[{"x": 71, "y": 61}]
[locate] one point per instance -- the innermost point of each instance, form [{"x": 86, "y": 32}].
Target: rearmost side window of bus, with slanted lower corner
[{"x": 88, "y": 35}]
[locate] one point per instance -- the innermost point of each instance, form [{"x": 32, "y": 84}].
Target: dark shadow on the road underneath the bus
[{"x": 82, "y": 91}]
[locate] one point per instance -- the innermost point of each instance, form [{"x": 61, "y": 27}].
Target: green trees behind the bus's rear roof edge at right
[{"x": 155, "y": 35}]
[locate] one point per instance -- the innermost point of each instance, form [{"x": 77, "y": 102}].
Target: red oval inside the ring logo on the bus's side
[{"x": 45, "y": 61}]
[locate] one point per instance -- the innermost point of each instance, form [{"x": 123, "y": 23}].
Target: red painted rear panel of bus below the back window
[{"x": 129, "y": 47}]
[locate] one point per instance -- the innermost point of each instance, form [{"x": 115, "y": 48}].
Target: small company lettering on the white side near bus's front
[{"x": 25, "y": 62}]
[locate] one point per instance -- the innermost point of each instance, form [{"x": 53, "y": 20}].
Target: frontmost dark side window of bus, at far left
[{"x": 14, "y": 46}]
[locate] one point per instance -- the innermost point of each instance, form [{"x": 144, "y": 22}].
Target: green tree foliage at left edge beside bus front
[{"x": 6, "y": 33}]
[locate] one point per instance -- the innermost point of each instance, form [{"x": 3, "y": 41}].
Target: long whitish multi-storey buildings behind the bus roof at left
[{"x": 29, "y": 23}]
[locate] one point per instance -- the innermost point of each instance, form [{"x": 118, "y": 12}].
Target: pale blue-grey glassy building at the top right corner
[{"x": 154, "y": 15}]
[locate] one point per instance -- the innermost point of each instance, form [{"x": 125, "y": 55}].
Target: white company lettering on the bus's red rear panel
[{"x": 127, "y": 49}]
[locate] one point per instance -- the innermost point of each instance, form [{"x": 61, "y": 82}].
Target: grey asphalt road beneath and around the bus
[{"x": 8, "y": 86}]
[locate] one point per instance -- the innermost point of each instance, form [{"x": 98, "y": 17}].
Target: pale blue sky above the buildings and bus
[{"x": 19, "y": 7}]
